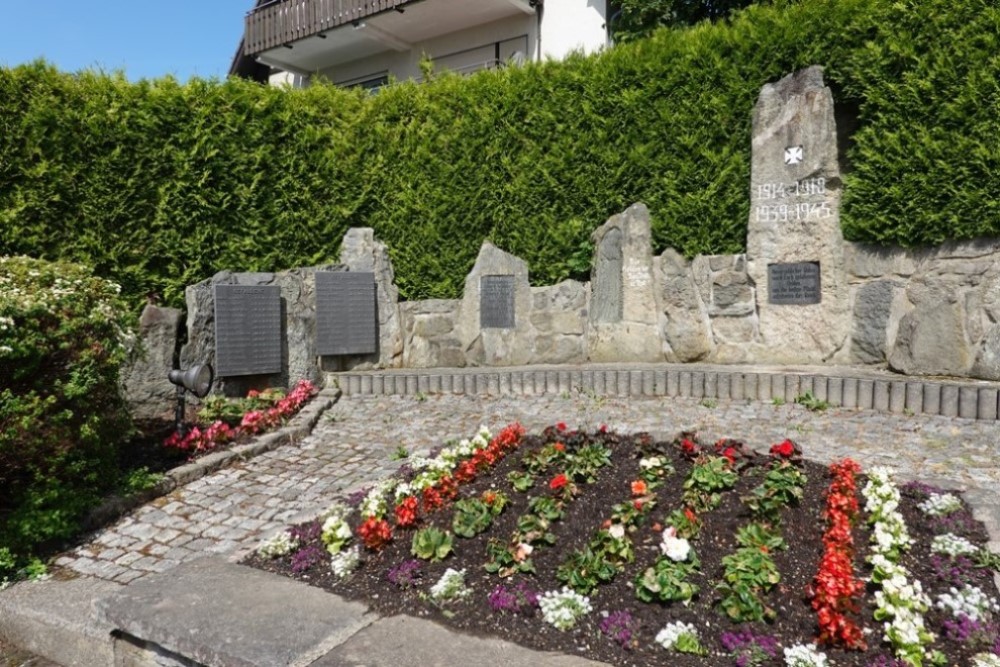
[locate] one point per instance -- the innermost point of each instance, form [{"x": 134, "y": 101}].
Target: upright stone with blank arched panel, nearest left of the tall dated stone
[{"x": 625, "y": 319}]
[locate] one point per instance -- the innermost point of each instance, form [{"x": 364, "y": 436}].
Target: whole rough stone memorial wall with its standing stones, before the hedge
[{"x": 800, "y": 294}]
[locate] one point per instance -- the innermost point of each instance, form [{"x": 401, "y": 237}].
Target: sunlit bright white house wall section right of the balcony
[{"x": 573, "y": 25}]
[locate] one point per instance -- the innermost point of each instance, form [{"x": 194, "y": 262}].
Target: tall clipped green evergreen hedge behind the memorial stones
[{"x": 158, "y": 185}]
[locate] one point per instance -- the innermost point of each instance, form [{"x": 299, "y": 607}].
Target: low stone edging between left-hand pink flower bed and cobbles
[{"x": 297, "y": 428}]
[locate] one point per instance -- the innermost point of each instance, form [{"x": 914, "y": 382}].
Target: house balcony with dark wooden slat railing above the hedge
[{"x": 306, "y": 36}]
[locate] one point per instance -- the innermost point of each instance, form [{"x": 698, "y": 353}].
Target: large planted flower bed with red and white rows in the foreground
[{"x": 632, "y": 551}]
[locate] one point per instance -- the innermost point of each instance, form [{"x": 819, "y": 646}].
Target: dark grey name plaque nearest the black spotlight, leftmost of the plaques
[{"x": 247, "y": 330}]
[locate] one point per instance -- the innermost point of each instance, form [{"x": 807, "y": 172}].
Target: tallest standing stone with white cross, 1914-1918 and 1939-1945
[{"x": 795, "y": 250}]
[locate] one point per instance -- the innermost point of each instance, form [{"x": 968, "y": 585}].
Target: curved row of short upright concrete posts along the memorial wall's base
[{"x": 841, "y": 387}]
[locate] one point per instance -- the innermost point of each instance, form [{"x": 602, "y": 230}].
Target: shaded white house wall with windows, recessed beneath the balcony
[{"x": 464, "y": 49}]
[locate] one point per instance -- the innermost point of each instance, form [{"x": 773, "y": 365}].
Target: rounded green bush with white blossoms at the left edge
[{"x": 63, "y": 337}]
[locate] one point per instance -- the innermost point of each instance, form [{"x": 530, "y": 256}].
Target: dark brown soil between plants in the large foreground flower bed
[{"x": 802, "y": 527}]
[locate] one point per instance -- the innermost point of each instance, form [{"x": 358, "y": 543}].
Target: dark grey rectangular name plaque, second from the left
[{"x": 346, "y": 314}]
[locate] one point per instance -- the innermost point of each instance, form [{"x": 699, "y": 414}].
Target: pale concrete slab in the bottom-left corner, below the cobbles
[{"x": 56, "y": 619}]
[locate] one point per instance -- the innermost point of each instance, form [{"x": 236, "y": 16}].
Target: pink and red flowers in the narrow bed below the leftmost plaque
[{"x": 254, "y": 421}]
